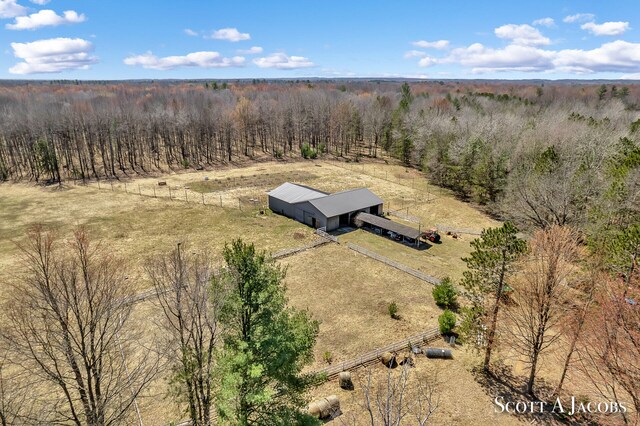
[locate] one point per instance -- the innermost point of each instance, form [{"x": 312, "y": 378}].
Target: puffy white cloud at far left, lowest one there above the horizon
[{"x": 52, "y": 56}]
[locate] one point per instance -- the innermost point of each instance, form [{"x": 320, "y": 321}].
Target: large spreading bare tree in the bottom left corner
[{"x": 67, "y": 324}]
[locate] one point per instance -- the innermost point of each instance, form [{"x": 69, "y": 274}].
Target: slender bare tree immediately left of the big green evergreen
[{"x": 183, "y": 284}]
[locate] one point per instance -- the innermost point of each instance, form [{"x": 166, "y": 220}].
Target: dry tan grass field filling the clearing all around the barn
[{"x": 348, "y": 292}]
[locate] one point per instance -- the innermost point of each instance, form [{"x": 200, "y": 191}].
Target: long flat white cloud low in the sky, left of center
[{"x": 195, "y": 59}]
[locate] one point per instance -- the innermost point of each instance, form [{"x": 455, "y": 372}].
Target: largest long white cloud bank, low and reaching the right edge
[{"x": 617, "y": 56}]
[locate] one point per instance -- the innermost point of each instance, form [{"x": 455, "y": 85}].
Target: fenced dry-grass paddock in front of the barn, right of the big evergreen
[{"x": 350, "y": 294}]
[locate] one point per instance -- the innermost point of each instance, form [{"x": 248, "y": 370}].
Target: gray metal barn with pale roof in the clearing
[{"x": 321, "y": 210}]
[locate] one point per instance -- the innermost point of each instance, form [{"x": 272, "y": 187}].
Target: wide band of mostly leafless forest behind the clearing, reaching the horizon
[{"x": 539, "y": 154}]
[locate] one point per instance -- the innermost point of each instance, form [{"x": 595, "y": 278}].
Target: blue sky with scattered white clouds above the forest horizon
[{"x": 194, "y": 39}]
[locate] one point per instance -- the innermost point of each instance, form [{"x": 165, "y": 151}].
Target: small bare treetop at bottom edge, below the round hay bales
[{"x": 396, "y": 397}]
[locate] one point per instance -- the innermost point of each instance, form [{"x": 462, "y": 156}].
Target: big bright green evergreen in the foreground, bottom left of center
[{"x": 266, "y": 344}]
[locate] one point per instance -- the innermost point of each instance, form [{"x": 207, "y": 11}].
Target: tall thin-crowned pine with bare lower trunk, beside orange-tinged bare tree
[{"x": 489, "y": 267}]
